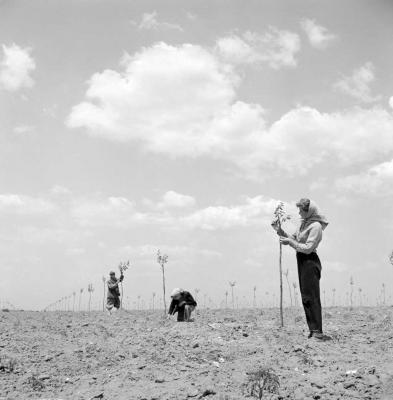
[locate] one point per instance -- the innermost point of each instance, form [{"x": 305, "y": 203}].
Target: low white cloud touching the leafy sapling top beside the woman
[{"x": 254, "y": 211}]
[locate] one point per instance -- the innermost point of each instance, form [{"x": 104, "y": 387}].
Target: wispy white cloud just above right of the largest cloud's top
[{"x": 277, "y": 48}]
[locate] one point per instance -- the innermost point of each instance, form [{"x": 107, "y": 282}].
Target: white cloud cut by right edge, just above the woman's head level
[{"x": 376, "y": 181}]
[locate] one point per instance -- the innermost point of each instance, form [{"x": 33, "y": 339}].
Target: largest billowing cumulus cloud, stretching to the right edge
[{"x": 181, "y": 101}]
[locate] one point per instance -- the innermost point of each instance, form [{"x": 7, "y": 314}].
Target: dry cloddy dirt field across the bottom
[{"x": 138, "y": 355}]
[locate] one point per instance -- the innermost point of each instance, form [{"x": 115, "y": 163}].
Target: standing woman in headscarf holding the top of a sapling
[{"x": 305, "y": 241}]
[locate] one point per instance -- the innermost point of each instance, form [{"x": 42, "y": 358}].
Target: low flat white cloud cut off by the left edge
[{"x": 25, "y": 205}]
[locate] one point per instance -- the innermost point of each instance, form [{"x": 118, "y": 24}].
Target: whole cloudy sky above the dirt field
[{"x": 132, "y": 126}]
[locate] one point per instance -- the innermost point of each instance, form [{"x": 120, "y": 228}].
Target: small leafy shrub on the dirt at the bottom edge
[{"x": 261, "y": 381}]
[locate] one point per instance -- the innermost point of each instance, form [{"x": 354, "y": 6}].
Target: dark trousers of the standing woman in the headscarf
[{"x": 309, "y": 270}]
